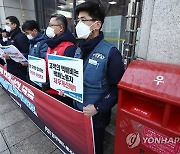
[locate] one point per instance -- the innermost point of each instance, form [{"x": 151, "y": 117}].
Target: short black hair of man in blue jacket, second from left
[{"x": 30, "y": 25}]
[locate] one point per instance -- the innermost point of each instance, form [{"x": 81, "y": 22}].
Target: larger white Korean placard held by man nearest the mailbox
[{"x": 66, "y": 74}]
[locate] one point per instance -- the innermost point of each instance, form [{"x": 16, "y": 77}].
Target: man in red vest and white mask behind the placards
[{"x": 62, "y": 43}]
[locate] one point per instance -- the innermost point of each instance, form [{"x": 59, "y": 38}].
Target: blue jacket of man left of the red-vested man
[{"x": 38, "y": 46}]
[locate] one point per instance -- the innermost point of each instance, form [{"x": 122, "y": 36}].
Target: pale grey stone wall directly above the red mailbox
[{"x": 160, "y": 31}]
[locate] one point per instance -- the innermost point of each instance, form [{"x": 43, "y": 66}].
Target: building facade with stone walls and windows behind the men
[{"x": 158, "y": 25}]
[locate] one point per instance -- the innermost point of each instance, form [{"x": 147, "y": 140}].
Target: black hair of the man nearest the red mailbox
[{"x": 94, "y": 10}]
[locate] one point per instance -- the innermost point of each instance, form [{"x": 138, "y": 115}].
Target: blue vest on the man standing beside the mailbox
[{"x": 95, "y": 74}]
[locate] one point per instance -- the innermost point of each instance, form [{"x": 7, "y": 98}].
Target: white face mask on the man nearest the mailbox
[{"x": 82, "y": 30}]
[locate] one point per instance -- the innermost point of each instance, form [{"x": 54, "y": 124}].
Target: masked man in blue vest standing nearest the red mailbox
[{"x": 103, "y": 69}]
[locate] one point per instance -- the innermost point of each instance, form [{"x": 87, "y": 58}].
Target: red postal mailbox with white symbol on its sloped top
[{"x": 148, "y": 114}]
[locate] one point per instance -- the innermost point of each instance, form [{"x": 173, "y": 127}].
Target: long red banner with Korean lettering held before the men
[{"x": 69, "y": 129}]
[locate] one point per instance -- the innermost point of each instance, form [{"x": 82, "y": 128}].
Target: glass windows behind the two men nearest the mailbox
[{"x": 115, "y": 21}]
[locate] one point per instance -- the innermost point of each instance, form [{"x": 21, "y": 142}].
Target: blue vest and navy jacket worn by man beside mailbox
[{"x": 103, "y": 69}]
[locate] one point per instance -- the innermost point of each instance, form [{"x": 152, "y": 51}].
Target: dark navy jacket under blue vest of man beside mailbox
[{"x": 114, "y": 71}]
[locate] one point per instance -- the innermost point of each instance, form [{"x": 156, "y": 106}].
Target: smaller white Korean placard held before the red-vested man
[{"x": 37, "y": 70}]
